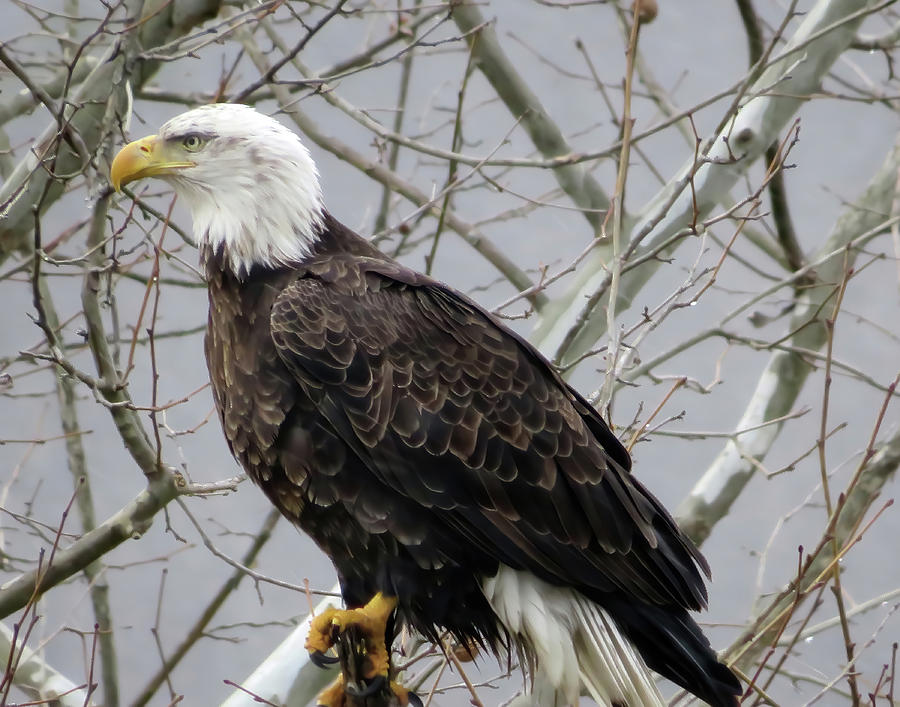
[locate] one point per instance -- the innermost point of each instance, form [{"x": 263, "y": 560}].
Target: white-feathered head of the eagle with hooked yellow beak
[{"x": 249, "y": 182}]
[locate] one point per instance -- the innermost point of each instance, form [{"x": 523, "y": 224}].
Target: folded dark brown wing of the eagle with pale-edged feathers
[{"x": 452, "y": 410}]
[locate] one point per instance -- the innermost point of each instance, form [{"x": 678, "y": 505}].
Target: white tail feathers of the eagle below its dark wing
[{"x": 576, "y": 645}]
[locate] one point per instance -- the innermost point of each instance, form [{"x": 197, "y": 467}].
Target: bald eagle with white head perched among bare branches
[{"x": 433, "y": 454}]
